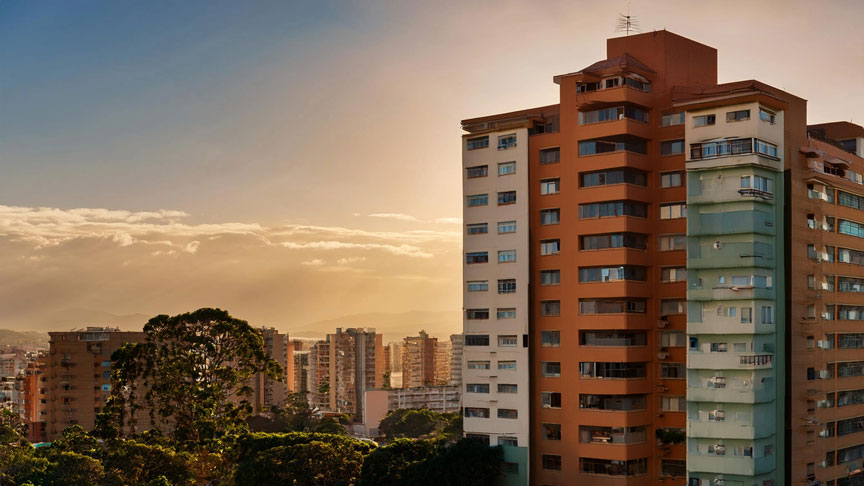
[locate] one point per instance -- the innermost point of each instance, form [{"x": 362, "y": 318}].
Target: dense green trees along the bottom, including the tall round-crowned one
[{"x": 190, "y": 374}]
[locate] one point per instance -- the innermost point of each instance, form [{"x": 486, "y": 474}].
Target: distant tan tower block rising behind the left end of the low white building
[{"x": 344, "y": 366}]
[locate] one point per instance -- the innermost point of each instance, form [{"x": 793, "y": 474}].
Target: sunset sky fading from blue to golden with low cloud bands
[{"x": 299, "y": 161}]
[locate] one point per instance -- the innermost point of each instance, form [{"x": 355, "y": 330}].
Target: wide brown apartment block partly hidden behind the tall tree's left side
[{"x": 78, "y": 370}]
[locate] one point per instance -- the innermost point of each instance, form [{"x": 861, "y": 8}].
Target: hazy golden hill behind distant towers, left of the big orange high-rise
[{"x": 394, "y": 327}]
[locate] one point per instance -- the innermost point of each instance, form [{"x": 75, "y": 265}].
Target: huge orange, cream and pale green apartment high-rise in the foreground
[{"x": 647, "y": 274}]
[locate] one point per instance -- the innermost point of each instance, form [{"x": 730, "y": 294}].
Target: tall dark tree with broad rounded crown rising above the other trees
[{"x": 191, "y": 374}]
